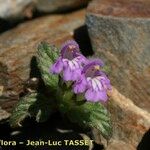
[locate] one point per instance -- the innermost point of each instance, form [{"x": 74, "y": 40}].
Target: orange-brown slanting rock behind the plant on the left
[{"x": 19, "y": 45}]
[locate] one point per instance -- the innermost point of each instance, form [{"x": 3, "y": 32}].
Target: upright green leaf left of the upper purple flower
[{"x": 47, "y": 55}]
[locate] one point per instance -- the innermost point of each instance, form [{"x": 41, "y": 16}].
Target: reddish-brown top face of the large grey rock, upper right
[{"x": 121, "y": 8}]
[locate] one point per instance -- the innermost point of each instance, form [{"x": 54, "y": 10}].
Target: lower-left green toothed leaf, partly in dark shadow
[{"x": 31, "y": 105}]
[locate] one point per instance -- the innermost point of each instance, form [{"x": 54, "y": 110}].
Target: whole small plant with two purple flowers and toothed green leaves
[{"x": 75, "y": 85}]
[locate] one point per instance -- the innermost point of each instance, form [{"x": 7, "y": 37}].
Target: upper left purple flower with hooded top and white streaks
[{"x": 70, "y": 62}]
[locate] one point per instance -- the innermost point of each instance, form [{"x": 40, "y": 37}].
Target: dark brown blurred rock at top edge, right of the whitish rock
[{"x": 59, "y": 5}]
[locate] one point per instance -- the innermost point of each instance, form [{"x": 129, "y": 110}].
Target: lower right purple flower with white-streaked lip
[{"x": 93, "y": 82}]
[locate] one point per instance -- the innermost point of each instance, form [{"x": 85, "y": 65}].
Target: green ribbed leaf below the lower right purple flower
[{"x": 93, "y": 115}]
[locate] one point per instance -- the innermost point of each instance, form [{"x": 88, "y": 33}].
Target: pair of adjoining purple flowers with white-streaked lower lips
[{"x": 85, "y": 74}]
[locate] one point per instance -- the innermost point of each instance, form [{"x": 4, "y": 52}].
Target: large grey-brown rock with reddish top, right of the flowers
[{"x": 120, "y": 34}]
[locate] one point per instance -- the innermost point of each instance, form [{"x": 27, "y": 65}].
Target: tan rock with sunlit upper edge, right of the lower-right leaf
[{"x": 130, "y": 122}]
